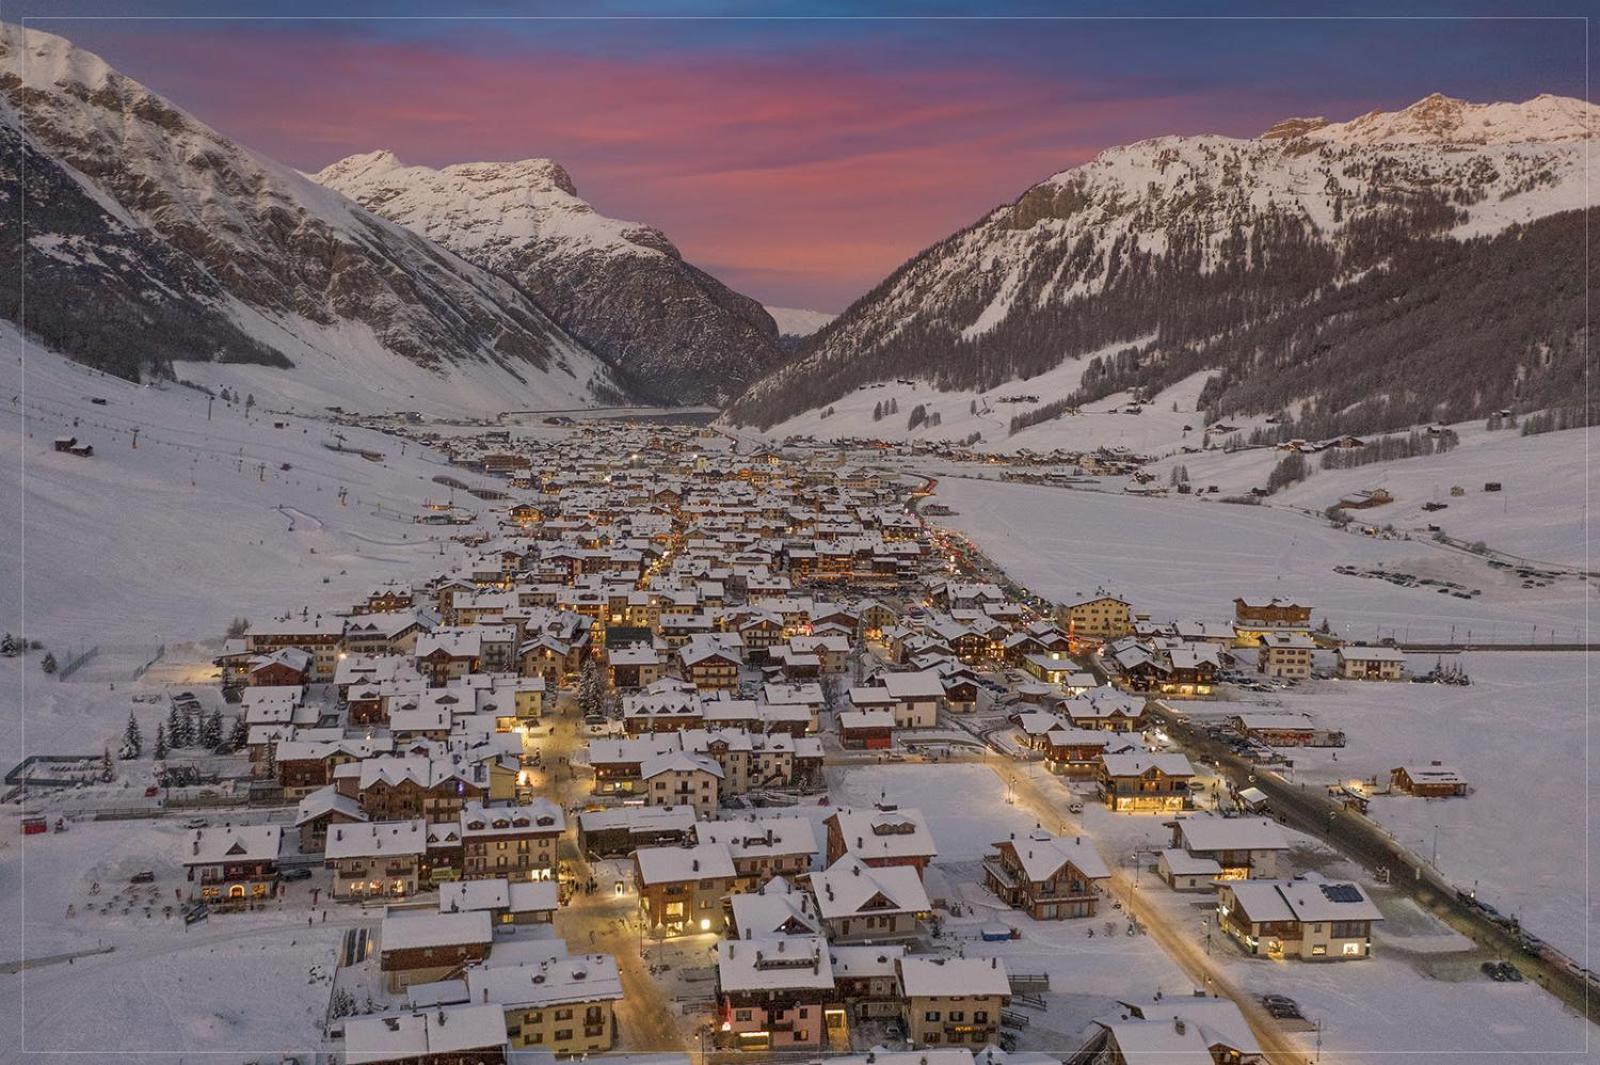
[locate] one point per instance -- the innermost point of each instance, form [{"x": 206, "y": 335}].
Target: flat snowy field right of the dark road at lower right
[{"x": 1521, "y": 736}]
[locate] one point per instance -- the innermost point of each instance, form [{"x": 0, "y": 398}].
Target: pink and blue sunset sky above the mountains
[{"x": 798, "y": 159}]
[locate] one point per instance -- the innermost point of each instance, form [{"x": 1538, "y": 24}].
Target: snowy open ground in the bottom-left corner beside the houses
[{"x": 231, "y": 989}]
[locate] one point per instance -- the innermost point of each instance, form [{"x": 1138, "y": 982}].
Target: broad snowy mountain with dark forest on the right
[{"x": 1394, "y": 269}]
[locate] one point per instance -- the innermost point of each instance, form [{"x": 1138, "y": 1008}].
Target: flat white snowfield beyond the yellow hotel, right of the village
[{"x": 1180, "y": 557}]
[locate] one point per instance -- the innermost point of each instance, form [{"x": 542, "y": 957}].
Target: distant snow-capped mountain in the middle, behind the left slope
[{"x": 620, "y": 287}]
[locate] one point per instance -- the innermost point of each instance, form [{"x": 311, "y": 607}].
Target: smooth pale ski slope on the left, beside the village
[{"x": 108, "y": 548}]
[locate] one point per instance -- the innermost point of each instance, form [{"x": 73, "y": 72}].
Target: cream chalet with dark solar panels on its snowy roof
[{"x": 1308, "y": 919}]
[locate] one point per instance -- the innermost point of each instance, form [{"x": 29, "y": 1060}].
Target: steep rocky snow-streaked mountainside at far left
[{"x": 242, "y": 261}]
